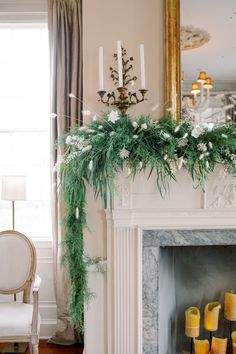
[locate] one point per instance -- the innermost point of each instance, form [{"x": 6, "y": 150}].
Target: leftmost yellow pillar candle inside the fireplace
[{"x": 192, "y": 322}]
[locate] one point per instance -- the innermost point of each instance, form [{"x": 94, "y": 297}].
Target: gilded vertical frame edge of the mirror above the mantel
[{"x": 172, "y": 57}]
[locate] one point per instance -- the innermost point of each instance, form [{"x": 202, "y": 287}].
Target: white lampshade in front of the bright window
[{"x": 13, "y": 187}]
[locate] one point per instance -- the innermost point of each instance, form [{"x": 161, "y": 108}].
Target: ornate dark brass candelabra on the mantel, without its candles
[{"x": 124, "y": 99}]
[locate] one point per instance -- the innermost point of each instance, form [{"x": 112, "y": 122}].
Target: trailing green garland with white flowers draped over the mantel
[{"x": 94, "y": 154}]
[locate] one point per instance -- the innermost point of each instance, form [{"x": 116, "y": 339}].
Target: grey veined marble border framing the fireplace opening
[{"x": 152, "y": 241}]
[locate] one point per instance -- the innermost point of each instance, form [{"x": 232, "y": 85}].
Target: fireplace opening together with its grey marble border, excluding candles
[{"x": 183, "y": 268}]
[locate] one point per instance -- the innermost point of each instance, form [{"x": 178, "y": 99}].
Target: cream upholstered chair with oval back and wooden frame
[{"x": 19, "y": 320}]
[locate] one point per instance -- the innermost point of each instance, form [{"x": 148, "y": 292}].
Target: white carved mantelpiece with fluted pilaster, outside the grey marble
[{"x": 138, "y": 207}]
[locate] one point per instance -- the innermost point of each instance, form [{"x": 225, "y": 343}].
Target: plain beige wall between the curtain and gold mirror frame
[{"x": 133, "y": 22}]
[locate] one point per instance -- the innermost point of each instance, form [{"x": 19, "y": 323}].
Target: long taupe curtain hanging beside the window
[{"x": 65, "y": 40}]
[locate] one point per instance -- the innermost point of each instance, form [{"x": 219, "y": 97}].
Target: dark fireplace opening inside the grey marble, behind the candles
[{"x": 192, "y": 276}]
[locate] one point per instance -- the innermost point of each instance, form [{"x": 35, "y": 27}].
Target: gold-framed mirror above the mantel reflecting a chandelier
[{"x": 201, "y": 70}]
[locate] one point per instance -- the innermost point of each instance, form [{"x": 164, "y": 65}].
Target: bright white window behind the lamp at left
[{"x": 24, "y": 125}]
